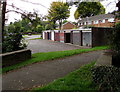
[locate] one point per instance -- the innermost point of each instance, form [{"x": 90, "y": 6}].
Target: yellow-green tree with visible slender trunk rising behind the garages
[{"x": 58, "y": 12}]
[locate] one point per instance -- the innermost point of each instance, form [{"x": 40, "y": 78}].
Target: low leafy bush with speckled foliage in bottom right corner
[{"x": 107, "y": 78}]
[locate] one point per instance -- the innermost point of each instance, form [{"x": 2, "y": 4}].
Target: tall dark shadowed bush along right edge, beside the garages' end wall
[{"x": 115, "y": 45}]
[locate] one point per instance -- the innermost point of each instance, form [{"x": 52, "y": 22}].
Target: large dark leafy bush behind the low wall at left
[{"x": 13, "y": 39}]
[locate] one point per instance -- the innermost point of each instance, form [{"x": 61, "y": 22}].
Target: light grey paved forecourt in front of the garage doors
[{"x": 41, "y": 45}]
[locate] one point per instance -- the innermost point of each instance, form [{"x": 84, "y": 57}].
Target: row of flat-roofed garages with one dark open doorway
[{"x": 82, "y": 37}]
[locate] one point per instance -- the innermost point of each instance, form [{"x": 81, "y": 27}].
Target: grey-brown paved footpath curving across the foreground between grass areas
[{"x": 44, "y": 72}]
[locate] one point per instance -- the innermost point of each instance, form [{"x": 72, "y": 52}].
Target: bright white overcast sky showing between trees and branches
[{"x": 45, "y": 4}]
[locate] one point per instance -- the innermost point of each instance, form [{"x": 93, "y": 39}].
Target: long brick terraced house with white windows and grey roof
[{"x": 102, "y": 20}]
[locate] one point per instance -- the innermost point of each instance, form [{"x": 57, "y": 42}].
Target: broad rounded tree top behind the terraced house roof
[{"x": 87, "y": 9}]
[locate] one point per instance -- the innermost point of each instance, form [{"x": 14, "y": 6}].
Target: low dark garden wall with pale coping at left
[{"x": 15, "y": 57}]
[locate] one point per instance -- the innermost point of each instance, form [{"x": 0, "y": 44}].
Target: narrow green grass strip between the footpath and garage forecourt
[{"x": 39, "y": 57}]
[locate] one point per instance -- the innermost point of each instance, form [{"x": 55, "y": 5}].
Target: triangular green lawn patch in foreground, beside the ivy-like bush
[{"x": 80, "y": 79}]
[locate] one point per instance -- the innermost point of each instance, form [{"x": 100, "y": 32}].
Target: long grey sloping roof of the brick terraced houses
[{"x": 97, "y": 17}]
